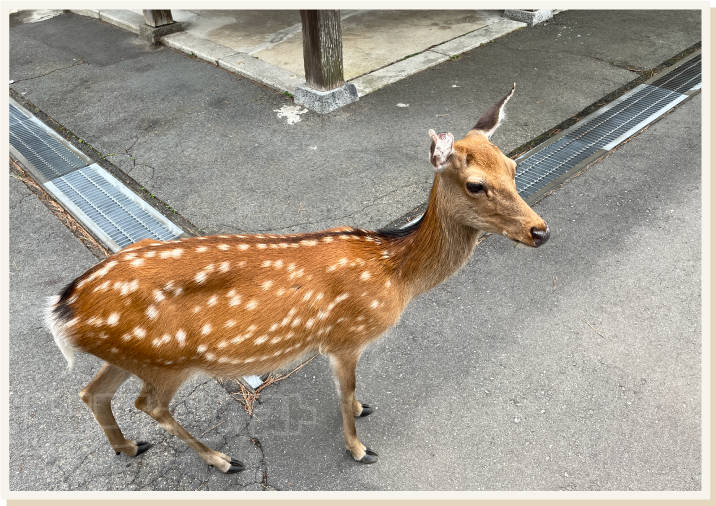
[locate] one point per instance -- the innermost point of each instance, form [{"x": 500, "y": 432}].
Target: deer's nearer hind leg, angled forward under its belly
[{"x": 154, "y": 400}]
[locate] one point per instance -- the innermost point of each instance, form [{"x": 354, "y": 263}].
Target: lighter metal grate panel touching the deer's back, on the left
[{"x": 114, "y": 213}]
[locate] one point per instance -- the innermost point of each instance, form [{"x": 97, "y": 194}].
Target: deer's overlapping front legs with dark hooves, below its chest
[{"x": 344, "y": 373}]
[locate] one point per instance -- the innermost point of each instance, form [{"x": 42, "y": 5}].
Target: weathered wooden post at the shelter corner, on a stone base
[{"x": 322, "y": 49}]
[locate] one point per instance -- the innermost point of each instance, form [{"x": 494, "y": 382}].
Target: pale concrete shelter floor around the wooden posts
[{"x": 379, "y": 47}]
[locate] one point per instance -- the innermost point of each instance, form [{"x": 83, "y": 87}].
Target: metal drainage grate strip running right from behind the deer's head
[{"x": 543, "y": 167}]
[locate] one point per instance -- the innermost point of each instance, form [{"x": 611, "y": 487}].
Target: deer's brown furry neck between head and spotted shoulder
[{"x": 435, "y": 249}]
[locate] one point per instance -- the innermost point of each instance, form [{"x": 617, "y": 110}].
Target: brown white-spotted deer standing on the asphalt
[{"x": 228, "y": 306}]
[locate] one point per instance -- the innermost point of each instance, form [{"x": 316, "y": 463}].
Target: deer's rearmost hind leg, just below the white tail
[{"x": 98, "y": 396}]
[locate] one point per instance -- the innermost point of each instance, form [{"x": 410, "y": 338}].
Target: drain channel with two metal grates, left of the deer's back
[{"x": 113, "y": 213}]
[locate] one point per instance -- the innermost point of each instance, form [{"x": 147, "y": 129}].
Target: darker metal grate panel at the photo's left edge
[{"x": 48, "y": 155}]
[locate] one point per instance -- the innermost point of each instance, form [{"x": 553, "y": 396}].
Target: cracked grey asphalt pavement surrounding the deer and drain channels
[{"x": 573, "y": 367}]
